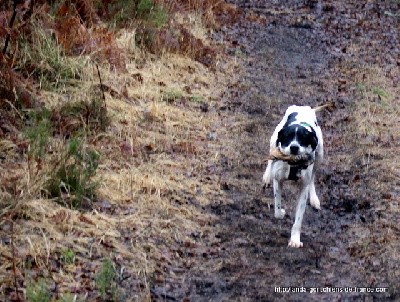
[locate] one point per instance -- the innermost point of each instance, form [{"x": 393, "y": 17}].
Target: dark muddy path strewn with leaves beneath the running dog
[{"x": 282, "y": 63}]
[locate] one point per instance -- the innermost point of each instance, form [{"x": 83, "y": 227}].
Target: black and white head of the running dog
[{"x": 296, "y": 137}]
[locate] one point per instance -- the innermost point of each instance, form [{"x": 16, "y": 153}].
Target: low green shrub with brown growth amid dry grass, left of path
[{"x": 68, "y": 175}]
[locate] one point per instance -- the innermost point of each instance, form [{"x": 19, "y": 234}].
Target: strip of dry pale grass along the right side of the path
[{"x": 376, "y": 133}]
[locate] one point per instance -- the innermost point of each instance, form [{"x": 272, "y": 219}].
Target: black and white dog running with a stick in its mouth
[{"x": 297, "y": 134}]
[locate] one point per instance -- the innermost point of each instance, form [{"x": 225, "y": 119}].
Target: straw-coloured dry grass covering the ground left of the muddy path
[{"x": 152, "y": 191}]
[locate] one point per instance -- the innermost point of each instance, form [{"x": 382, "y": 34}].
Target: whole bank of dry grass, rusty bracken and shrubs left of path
[{"x": 100, "y": 143}]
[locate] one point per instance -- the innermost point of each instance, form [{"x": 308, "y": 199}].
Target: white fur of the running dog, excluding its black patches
[{"x": 278, "y": 171}]
